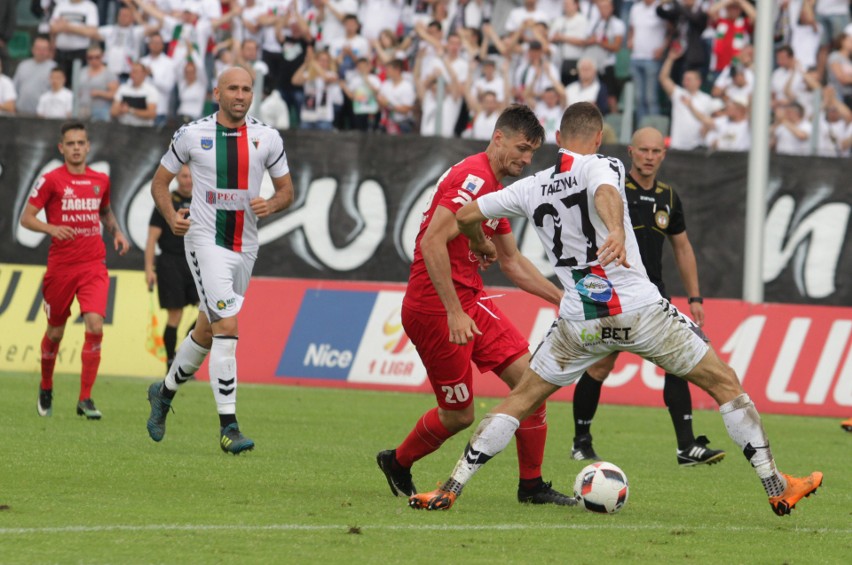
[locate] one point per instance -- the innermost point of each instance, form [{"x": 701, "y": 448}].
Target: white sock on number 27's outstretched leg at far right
[{"x": 746, "y": 429}]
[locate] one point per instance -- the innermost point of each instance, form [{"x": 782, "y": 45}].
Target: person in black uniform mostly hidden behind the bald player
[{"x": 172, "y": 276}]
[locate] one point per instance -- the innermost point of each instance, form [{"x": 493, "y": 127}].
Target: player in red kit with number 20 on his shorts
[{"x": 452, "y": 321}]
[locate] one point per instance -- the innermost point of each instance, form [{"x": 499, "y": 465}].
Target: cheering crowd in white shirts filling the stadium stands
[{"x": 442, "y": 68}]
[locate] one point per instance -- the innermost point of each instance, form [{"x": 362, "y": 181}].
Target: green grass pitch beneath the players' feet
[{"x": 73, "y": 491}]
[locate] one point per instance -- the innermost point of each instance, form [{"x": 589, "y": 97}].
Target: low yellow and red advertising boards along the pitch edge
[{"x": 791, "y": 359}]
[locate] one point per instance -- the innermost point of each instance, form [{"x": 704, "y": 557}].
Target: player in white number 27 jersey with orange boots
[{"x": 579, "y": 210}]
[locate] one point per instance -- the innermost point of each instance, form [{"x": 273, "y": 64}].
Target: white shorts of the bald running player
[{"x": 221, "y": 277}]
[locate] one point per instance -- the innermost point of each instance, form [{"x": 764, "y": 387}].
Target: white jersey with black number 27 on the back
[{"x": 560, "y": 202}]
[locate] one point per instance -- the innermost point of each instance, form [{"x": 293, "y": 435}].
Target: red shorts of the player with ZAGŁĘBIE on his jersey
[{"x": 88, "y": 281}]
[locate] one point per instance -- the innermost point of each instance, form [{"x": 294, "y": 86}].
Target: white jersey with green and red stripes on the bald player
[{"x": 227, "y": 168}]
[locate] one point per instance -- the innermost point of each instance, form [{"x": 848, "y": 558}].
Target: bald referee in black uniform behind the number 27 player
[{"x": 656, "y": 214}]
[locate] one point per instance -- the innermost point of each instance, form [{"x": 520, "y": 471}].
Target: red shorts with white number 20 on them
[{"x": 448, "y": 365}]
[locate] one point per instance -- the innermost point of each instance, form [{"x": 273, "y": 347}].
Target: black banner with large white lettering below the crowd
[{"x": 359, "y": 200}]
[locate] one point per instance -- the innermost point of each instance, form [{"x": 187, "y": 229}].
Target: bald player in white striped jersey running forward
[{"x": 227, "y": 153}]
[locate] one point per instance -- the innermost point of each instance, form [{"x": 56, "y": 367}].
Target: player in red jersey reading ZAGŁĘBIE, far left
[{"x": 76, "y": 201}]
